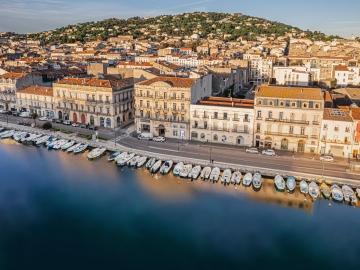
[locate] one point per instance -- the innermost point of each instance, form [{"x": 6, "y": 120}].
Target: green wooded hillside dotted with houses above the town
[{"x": 208, "y": 25}]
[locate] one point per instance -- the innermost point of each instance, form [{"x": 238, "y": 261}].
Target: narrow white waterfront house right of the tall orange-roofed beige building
[{"x": 336, "y": 133}]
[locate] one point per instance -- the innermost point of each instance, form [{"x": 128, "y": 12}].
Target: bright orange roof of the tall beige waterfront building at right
[{"x": 289, "y": 92}]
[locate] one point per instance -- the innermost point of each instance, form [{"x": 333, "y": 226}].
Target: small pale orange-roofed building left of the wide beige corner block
[{"x": 36, "y": 99}]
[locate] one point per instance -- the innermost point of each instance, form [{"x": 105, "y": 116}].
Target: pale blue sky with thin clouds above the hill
[{"x": 332, "y": 17}]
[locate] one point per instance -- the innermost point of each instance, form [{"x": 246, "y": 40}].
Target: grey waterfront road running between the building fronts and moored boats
[{"x": 226, "y": 155}]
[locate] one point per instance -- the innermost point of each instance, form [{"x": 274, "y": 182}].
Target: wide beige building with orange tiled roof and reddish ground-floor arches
[{"x": 105, "y": 103}]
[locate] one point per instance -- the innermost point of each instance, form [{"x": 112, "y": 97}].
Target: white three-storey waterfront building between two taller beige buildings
[{"x": 222, "y": 120}]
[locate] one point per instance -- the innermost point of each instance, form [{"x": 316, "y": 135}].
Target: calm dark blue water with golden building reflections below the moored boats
[{"x": 61, "y": 211}]
